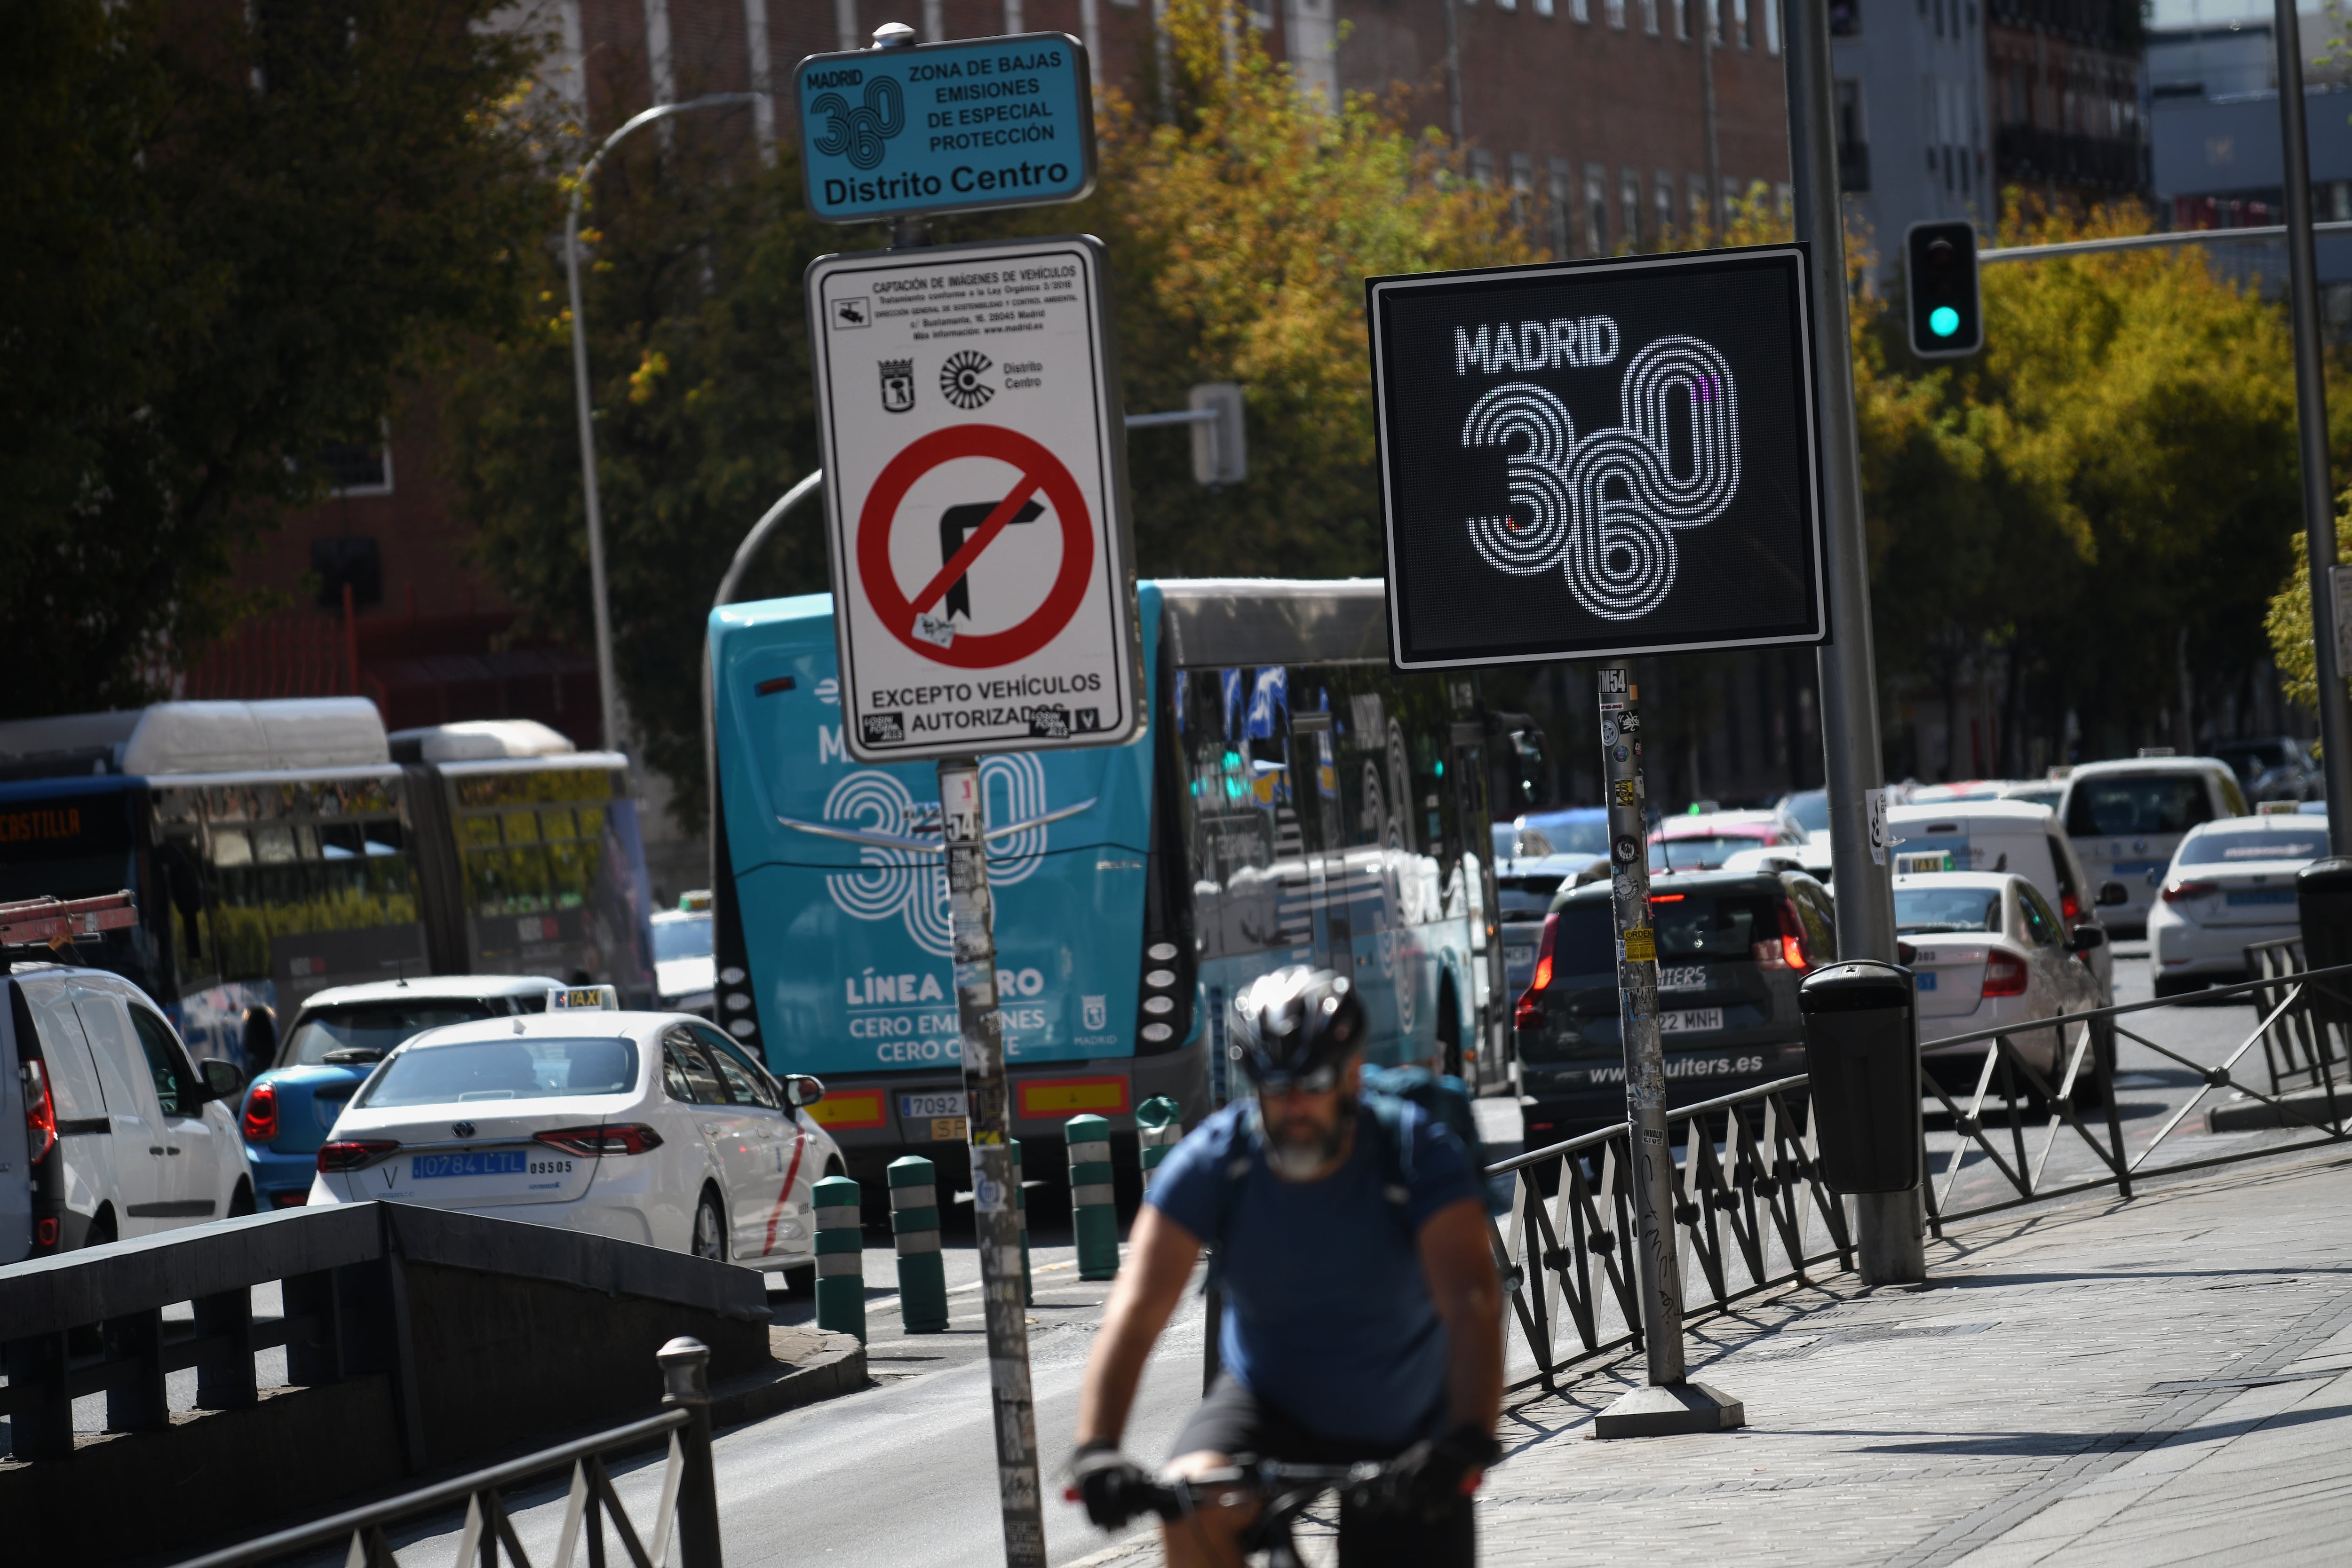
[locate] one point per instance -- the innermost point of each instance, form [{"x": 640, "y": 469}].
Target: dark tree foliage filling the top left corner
[{"x": 225, "y": 239}]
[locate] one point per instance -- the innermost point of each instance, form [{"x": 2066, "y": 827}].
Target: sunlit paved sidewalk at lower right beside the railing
[{"x": 2149, "y": 1383}]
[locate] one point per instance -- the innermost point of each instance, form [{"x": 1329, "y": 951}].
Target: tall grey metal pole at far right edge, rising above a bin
[{"x": 2313, "y": 427}]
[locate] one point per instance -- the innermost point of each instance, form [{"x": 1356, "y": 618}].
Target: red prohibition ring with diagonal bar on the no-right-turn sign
[{"x": 1041, "y": 471}]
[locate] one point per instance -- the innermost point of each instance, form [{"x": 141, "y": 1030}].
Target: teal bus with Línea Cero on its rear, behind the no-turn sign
[{"x": 1292, "y": 803}]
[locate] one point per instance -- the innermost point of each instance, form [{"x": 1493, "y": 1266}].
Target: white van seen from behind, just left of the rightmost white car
[{"x": 2127, "y": 819}]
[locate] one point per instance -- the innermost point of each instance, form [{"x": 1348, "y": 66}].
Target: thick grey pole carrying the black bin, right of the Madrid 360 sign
[{"x": 1892, "y": 1228}]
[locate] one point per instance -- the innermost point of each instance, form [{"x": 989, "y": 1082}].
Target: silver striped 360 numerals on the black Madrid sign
[{"x": 1605, "y": 511}]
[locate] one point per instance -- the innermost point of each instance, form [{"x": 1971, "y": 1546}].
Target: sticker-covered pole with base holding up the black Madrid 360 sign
[{"x": 1669, "y": 1405}]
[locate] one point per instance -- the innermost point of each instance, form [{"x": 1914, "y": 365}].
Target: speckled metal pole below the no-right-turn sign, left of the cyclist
[{"x": 994, "y": 1181}]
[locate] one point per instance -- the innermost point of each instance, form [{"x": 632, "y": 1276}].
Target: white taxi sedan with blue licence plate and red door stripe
[{"x": 646, "y": 1127}]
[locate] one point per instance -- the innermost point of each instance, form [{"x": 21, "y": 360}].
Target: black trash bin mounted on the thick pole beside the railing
[{"x": 1862, "y": 1050}]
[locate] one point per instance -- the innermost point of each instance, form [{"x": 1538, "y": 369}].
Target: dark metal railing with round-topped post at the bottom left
[{"x": 688, "y": 1496}]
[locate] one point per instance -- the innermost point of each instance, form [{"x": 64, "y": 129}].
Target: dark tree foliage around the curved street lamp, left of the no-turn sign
[{"x": 704, "y": 413}]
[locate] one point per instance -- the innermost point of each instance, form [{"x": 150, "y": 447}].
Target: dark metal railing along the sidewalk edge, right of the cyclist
[{"x": 1756, "y": 1214}]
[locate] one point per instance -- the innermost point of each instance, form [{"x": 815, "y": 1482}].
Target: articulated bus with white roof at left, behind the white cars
[{"x": 283, "y": 847}]
